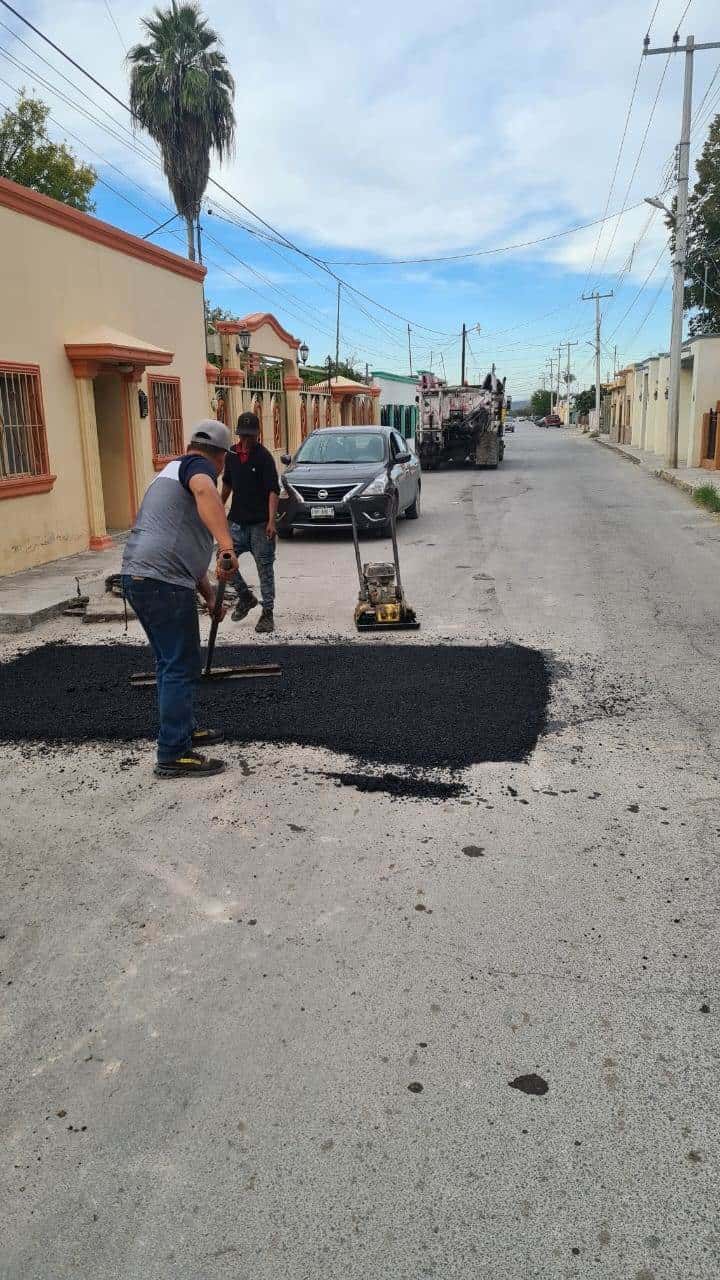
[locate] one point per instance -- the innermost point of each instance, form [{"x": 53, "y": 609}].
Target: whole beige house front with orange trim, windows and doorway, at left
[{"x": 102, "y": 376}]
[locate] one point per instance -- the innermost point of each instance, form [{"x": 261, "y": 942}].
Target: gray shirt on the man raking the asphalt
[{"x": 168, "y": 541}]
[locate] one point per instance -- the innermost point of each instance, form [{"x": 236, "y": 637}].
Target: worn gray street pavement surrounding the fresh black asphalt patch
[{"x": 218, "y": 994}]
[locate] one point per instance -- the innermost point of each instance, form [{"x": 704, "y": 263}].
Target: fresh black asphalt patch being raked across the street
[{"x": 425, "y": 707}]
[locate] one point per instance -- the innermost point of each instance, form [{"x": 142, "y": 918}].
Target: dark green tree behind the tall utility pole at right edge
[{"x": 704, "y": 239}]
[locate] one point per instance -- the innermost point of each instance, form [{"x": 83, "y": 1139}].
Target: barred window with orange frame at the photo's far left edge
[{"x": 24, "y": 442}]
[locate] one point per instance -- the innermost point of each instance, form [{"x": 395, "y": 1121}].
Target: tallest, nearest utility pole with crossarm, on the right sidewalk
[{"x": 680, "y": 260}]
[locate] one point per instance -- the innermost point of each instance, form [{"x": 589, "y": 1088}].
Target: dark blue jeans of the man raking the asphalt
[{"x": 170, "y": 619}]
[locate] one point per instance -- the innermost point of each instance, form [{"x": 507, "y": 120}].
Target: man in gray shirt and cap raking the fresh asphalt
[{"x": 165, "y": 565}]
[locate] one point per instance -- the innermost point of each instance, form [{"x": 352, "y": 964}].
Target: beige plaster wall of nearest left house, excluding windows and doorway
[{"x": 60, "y": 287}]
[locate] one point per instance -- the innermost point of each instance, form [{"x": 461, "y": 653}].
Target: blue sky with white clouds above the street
[{"x": 411, "y": 131}]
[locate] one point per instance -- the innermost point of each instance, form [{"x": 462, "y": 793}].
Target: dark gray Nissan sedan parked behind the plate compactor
[{"x": 338, "y": 464}]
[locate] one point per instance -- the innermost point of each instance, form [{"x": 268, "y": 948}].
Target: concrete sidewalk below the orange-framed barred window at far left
[{"x": 38, "y": 595}]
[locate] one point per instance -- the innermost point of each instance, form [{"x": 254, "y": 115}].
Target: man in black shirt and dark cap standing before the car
[{"x": 252, "y": 477}]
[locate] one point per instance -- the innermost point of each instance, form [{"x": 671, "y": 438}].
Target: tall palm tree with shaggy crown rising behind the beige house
[{"x": 181, "y": 92}]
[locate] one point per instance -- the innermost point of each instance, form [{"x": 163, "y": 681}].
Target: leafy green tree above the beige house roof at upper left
[{"x": 29, "y": 157}]
